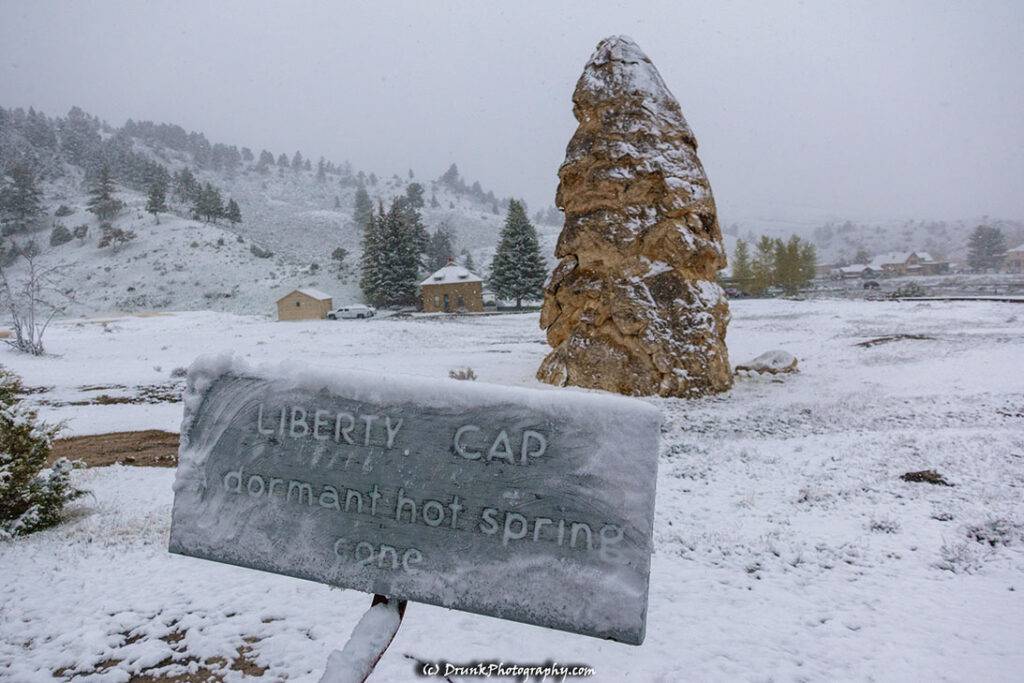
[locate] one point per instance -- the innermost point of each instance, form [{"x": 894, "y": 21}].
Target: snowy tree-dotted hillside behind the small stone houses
[{"x": 295, "y": 214}]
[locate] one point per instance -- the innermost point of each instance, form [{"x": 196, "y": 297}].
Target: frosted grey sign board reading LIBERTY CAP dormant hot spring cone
[{"x": 527, "y": 505}]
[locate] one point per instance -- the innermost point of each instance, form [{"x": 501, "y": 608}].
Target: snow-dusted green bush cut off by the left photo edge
[{"x": 32, "y": 496}]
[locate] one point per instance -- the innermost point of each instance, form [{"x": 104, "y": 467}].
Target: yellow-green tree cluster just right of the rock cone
[{"x": 789, "y": 265}]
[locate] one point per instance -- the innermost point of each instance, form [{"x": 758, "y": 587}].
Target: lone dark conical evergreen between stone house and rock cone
[{"x": 518, "y": 271}]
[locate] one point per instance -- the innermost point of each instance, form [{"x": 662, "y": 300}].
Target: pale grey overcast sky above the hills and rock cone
[{"x": 802, "y": 110}]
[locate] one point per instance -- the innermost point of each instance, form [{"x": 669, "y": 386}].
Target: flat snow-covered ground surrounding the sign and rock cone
[{"x": 787, "y": 547}]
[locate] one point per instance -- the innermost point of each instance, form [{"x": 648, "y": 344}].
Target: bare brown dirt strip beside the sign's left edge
[{"x": 152, "y": 448}]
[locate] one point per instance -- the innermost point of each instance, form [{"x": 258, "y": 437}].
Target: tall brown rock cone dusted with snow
[{"x": 633, "y": 307}]
